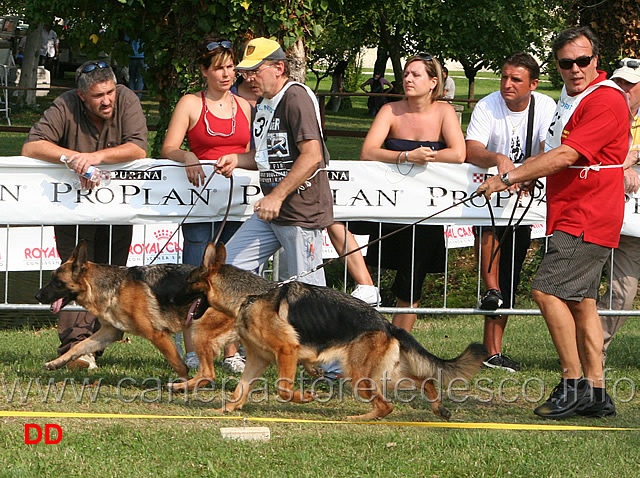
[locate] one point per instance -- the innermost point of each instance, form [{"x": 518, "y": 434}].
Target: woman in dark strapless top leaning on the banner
[{"x": 414, "y": 131}]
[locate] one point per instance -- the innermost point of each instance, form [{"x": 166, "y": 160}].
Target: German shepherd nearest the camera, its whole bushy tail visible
[{"x": 299, "y": 322}]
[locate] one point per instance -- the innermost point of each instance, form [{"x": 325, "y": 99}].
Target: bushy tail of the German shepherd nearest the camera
[{"x": 421, "y": 363}]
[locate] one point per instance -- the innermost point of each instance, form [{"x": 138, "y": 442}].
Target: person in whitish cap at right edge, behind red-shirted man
[{"x": 626, "y": 258}]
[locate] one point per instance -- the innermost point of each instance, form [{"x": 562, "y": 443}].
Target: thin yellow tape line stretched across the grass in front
[{"x": 458, "y": 425}]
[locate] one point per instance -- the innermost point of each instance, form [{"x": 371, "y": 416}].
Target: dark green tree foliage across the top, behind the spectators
[{"x": 477, "y": 33}]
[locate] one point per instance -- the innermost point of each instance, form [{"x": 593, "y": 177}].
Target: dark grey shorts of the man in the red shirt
[{"x": 571, "y": 268}]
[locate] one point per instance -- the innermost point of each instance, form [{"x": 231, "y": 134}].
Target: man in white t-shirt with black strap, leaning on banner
[{"x": 497, "y": 136}]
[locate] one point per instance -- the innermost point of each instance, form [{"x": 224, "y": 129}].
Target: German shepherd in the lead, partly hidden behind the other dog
[{"x": 150, "y": 301}]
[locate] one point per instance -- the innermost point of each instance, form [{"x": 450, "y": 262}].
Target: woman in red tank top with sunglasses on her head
[{"x": 215, "y": 122}]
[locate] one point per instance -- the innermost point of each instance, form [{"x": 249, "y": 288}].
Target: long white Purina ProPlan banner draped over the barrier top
[{"x": 149, "y": 191}]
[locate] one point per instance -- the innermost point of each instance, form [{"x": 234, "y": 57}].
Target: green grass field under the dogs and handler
[{"x": 131, "y": 378}]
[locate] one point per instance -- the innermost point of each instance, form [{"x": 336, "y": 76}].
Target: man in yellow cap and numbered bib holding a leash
[{"x": 291, "y": 157}]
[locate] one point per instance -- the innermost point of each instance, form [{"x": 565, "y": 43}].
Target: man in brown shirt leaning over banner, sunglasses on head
[{"x": 99, "y": 123}]
